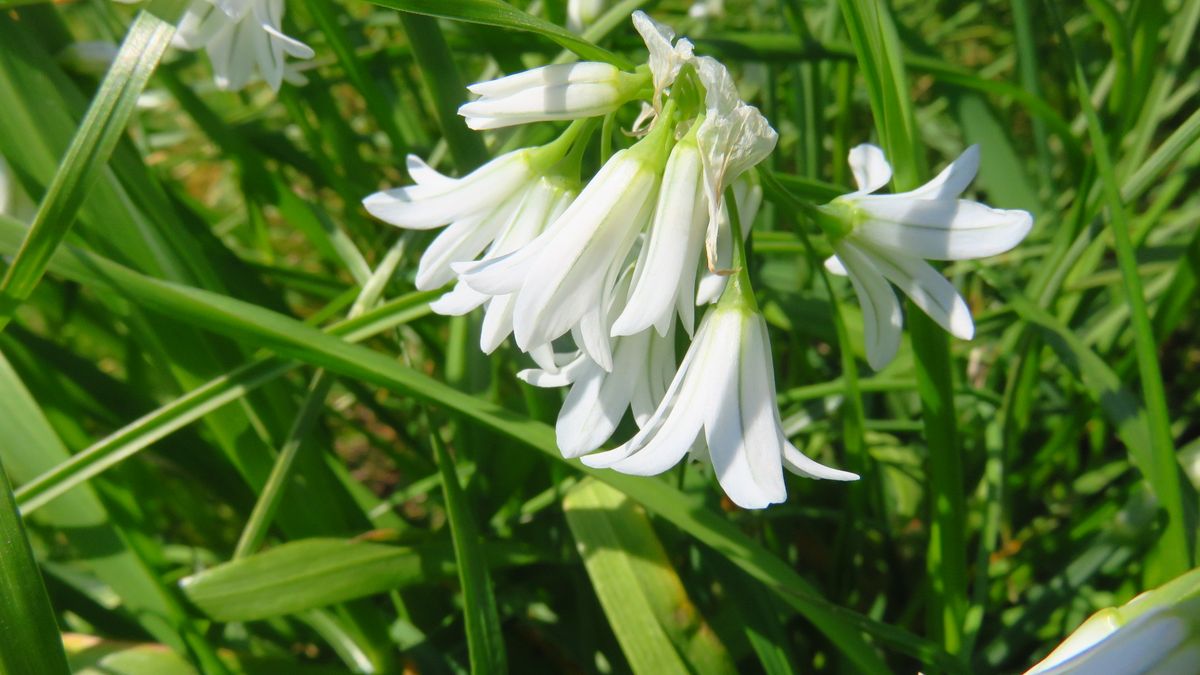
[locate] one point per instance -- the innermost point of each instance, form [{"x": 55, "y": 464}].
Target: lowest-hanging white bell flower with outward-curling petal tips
[{"x": 723, "y": 395}]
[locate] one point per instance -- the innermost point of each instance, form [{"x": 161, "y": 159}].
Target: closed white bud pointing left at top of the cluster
[{"x": 562, "y": 92}]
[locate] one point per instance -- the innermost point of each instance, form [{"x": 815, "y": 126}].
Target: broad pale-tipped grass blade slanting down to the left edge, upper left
[{"x": 89, "y": 152}]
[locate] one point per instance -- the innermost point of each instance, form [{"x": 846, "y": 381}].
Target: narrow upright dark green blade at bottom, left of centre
[{"x": 485, "y": 641}]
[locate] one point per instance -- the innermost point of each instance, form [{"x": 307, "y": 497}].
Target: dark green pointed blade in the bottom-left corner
[{"x": 27, "y": 620}]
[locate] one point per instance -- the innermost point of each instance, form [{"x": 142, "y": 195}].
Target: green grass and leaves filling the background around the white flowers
[{"x": 236, "y": 432}]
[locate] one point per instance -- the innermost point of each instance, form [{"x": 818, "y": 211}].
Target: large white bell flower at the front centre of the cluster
[{"x": 574, "y": 267}]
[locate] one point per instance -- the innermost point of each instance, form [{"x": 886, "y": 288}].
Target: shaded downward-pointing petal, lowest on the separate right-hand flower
[{"x": 883, "y": 320}]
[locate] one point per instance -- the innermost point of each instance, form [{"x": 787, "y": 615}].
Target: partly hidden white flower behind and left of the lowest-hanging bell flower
[{"x": 643, "y": 369}]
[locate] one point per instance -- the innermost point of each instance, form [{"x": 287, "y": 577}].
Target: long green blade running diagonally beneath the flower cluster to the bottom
[{"x": 296, "y": 341}]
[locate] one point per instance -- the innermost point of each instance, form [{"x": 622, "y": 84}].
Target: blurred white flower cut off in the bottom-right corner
[{"x": 1156, "y": 632}]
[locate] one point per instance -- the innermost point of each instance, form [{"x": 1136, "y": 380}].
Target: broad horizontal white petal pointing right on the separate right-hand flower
[{"x": 952, "y": 230}]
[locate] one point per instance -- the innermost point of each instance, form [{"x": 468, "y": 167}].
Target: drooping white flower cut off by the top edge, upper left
[{"x": 239, "y": 38}]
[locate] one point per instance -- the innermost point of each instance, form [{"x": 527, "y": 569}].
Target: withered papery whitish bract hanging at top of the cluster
[{"x": 734, "y": 138}]
